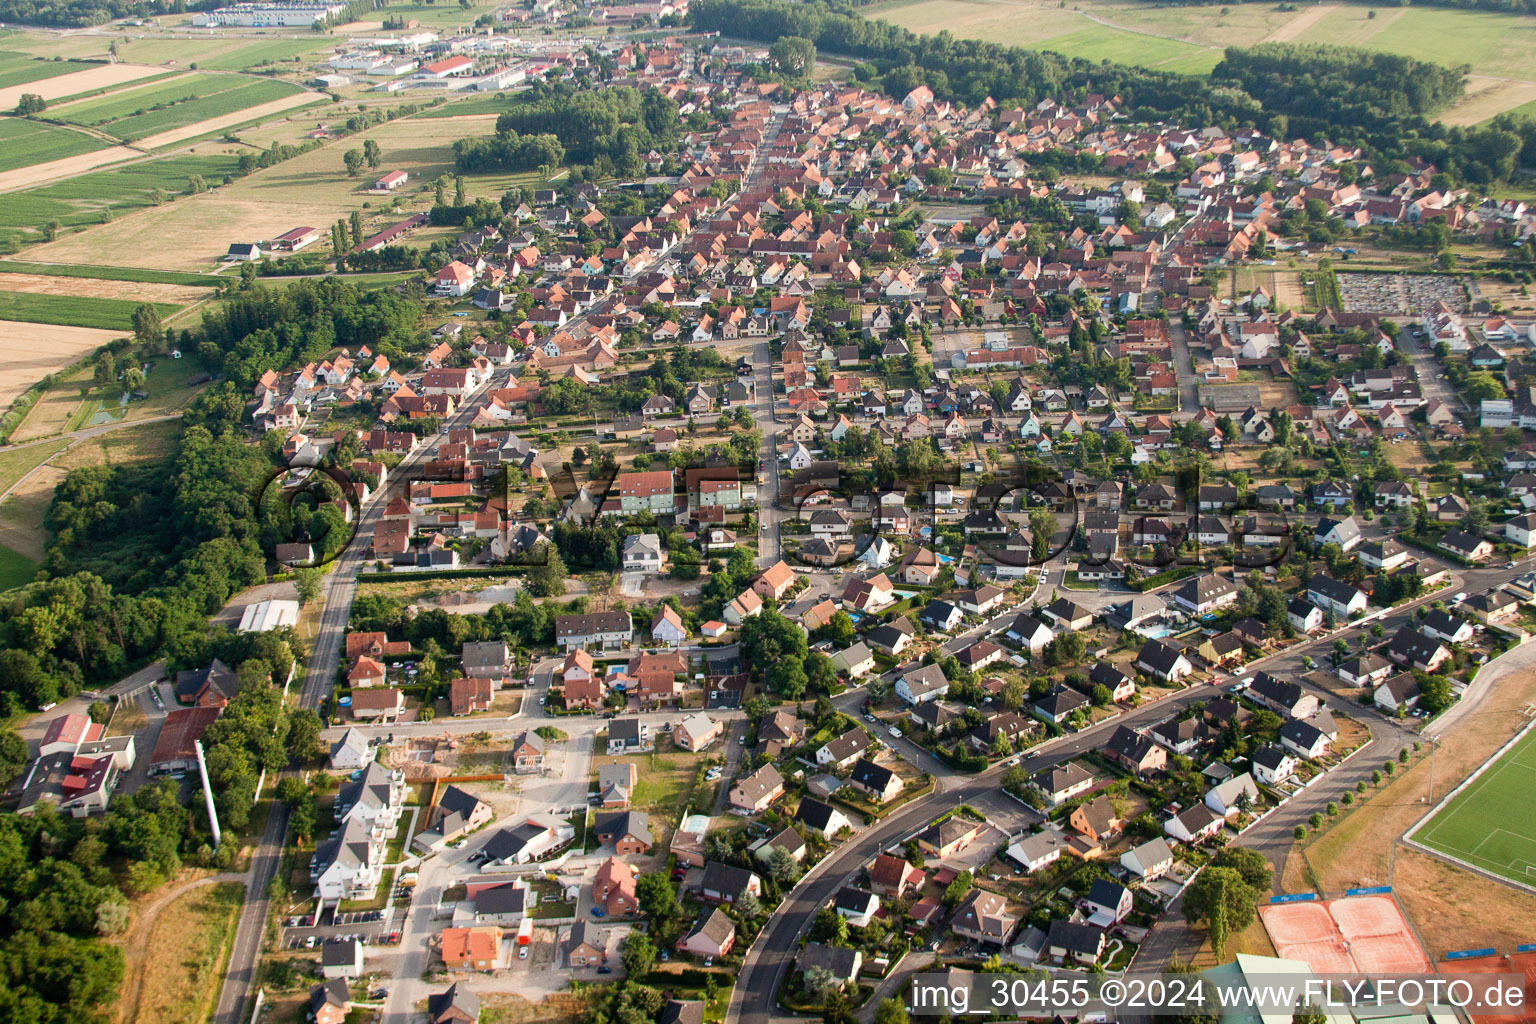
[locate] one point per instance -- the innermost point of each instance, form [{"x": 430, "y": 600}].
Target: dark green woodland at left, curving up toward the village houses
[{"x": 142, "y": 555}]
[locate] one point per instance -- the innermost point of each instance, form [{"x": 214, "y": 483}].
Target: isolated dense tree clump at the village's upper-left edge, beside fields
[{"x": 611, "y": 128}]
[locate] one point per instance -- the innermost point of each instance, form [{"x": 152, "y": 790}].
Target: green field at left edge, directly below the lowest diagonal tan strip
[{"x": 82, "y": 200}]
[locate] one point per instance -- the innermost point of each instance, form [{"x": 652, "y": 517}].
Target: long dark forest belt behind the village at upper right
[{"x": 1348, "y": 96}]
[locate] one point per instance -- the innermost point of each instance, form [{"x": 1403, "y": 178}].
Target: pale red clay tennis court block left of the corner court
[{"x": 1349, "y": 936}]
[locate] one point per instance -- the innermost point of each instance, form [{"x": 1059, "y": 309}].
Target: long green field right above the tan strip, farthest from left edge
[{"x": 179, "y": 102}]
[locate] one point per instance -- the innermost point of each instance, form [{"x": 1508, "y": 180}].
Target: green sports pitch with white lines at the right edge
[{"x": 1485, "y": 825}]
